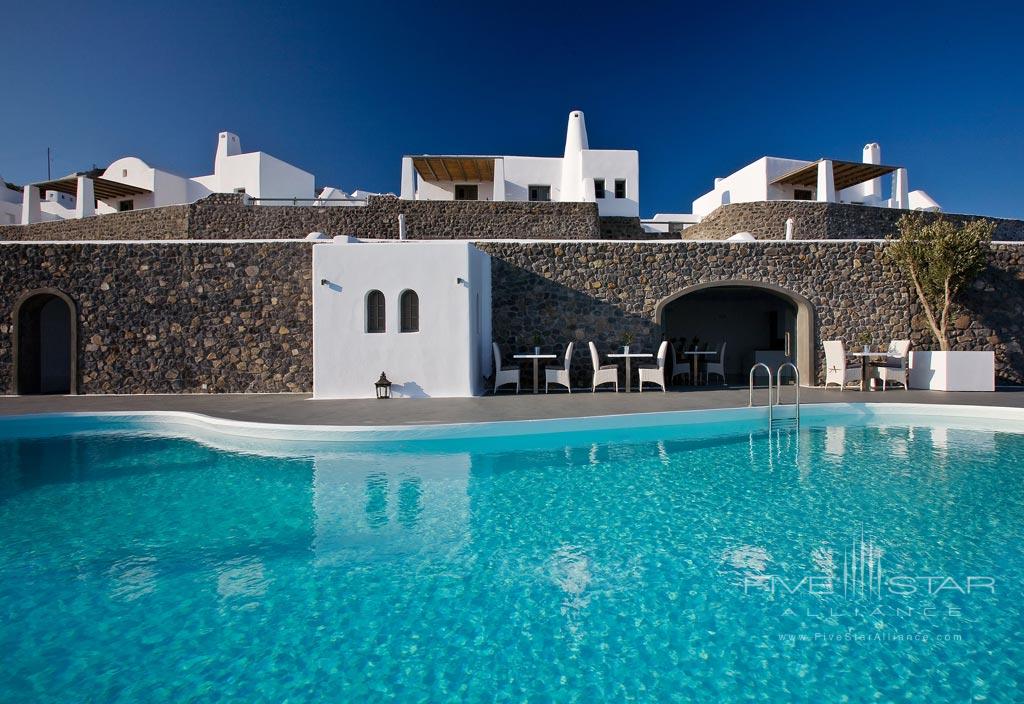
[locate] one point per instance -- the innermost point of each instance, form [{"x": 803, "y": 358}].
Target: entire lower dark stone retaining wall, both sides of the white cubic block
[{"x": 237, "y": 318}]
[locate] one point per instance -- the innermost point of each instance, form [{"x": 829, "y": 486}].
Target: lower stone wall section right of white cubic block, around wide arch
[{"x": 601, "y": 291}]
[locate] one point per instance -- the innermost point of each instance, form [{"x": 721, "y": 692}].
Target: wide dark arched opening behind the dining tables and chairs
[{"x": 760, "y": 323}]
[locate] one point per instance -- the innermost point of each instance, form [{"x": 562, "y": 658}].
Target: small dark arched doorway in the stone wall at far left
[{"x": 46, "y": 343}]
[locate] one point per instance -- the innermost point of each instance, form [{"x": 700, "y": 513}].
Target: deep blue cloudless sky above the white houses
[{"x": 345, "y": 90}]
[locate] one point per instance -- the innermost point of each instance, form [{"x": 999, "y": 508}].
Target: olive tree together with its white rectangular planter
[{"x": 942, "y": 259}]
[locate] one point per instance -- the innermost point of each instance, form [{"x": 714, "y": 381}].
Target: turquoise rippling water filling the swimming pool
[{"x": 654, "y": 566}]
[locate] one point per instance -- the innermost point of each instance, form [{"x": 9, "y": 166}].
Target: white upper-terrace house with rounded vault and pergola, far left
[{"x": 131, "y": 184}]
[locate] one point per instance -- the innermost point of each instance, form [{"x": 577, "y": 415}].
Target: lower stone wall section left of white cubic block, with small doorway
[{"x": 174, "y": 318}]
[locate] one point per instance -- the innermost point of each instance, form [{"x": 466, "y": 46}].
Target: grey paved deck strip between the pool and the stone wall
[{"x": 302, "y": 410}]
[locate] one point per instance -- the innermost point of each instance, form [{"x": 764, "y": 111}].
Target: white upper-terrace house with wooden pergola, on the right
[{"x": 826, "y": 181}]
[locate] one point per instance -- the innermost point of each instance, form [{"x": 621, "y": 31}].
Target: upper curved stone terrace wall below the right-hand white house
[{"x": 766, "y": 221}]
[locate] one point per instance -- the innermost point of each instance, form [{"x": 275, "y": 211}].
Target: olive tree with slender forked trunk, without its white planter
[{"x": 942, "y": 259}]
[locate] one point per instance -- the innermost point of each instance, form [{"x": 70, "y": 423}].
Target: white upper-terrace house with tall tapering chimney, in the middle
[{"x": 609, "y": 178}]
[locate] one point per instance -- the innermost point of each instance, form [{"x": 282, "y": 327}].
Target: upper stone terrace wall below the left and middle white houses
[{"x": 227, "y": 216}]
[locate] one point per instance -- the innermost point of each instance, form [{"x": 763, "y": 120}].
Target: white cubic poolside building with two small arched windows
[{"x": 419, "y": 312}]
